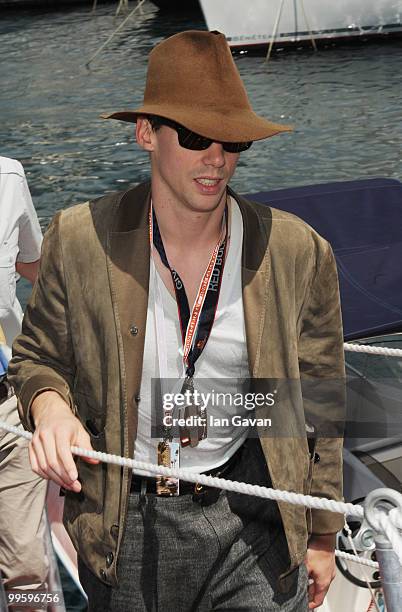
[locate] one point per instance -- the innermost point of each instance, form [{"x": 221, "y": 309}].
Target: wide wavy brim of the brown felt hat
[{"x": 240, "y": 125}]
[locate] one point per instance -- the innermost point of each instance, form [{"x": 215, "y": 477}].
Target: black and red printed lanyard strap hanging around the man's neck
[{"x": 195, "y": 327}]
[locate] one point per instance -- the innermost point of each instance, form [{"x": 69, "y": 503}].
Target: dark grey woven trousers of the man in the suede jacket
[{"x": 180, "y": 556}]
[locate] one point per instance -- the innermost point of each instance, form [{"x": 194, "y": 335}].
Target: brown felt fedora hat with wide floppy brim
[{"x": 193, "y": 80}]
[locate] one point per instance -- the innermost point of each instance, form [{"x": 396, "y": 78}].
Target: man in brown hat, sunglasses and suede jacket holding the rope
[{"x": 112, "y": 309}]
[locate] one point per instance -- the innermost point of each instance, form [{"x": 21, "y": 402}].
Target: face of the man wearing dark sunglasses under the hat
[{"x": 195, "y": 180}]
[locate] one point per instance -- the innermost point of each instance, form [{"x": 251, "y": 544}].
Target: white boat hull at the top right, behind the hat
[{"x": 294, "y": 22}]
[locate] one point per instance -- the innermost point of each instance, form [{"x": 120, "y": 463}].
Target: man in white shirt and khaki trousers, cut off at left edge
[{"x": 23, "y": 561}]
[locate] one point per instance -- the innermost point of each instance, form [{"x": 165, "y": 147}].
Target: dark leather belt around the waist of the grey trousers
[{"x": 147, "y": 484}]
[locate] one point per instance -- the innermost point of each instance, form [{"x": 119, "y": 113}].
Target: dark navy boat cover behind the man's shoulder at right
[{"x": 363, "y": 222}]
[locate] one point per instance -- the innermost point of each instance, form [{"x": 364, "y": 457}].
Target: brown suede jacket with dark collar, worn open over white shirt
[{"x": 83, "y": 335}]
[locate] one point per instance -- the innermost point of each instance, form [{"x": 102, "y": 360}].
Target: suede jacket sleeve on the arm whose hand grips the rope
[{"x": 43, "y": 356}]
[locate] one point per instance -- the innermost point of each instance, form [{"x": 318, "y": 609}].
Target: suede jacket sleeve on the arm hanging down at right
[{"x": 322, "y": 370}]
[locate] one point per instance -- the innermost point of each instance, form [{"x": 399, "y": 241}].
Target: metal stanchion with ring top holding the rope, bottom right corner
[{"x": 385, "y": 500}]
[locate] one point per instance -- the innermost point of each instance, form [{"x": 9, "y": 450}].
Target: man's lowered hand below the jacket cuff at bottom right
[{"x": 320, "y": 563}]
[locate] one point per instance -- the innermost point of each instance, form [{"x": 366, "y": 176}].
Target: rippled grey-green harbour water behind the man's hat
[{"x": 345, "y": 104}]
